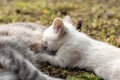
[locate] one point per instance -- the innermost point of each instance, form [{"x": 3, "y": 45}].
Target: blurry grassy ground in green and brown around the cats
[{"x": 100, "y": 20}]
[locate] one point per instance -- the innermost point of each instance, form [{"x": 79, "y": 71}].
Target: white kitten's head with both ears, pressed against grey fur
[{"x": 55, "y": 36}]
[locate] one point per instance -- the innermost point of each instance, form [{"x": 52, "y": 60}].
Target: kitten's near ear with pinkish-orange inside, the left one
[{"x": 58, "y": 25}]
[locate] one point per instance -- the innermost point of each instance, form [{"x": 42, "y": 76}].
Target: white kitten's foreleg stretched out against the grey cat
[{"x": 63, "y": 59}]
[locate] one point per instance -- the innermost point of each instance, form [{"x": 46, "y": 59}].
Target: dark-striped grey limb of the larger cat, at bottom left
[{"x": 12, "y": 61}]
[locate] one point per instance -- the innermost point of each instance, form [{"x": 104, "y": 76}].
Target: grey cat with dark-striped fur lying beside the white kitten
[{"x": 19, "y": 43}]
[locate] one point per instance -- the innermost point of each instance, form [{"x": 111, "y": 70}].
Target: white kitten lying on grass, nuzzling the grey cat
[{"x": 76, "y": 49}]
